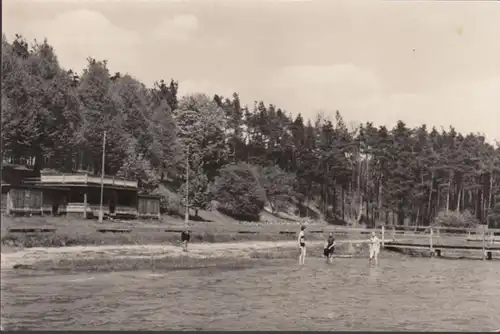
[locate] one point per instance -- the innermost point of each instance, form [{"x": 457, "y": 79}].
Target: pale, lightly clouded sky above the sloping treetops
[{"x": 432, "y": 62}]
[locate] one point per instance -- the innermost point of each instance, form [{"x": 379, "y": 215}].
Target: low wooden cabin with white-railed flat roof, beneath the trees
[{"x": 26, "y": 192}]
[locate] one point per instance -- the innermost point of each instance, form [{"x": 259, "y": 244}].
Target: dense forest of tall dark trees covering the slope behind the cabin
[{"x": 240, "y": 159}]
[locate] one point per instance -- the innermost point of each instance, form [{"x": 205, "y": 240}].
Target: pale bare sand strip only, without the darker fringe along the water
[{"x": 30, "y": 256}]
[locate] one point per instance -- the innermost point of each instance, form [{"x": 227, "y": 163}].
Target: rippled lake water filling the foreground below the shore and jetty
[{"x": 400, "y": 294}]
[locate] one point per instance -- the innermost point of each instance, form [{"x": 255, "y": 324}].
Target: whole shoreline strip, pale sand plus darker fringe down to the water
[{"x": 99, "y": 257}]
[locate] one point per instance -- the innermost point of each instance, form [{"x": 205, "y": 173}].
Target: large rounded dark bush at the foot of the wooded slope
[{"x": 239, "y": 193}]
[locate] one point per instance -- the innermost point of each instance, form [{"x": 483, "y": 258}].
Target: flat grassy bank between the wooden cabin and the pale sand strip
[{"x": 79, "y": 232}]
